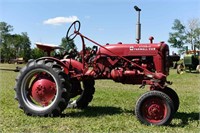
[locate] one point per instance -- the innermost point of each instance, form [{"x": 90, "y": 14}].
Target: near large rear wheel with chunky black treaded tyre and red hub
[{"x": 42, "y": 88}]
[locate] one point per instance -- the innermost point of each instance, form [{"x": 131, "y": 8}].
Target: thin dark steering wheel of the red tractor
[{"x": 72, "y": 34}]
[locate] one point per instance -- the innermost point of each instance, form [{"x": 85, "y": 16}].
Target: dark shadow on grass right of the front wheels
[{"x": 185, "y": 118}]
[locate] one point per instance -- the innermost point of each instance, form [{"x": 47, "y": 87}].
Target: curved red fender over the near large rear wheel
[{"x": 65, "y": 66}]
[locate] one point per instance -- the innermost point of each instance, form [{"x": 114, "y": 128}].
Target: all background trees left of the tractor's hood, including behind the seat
[{"x": 13, "y": 46}]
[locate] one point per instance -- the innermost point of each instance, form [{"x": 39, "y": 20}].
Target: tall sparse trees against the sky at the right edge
[{"x": 183, "y": 35}]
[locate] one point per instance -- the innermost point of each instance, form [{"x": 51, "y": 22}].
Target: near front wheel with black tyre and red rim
[{"x": 154, "y": 108}]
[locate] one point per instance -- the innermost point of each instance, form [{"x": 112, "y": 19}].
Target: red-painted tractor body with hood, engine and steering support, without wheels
[{"x": 126, "y": 63}]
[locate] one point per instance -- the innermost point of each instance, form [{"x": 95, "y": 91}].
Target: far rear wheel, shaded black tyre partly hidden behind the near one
[{"x": 81, "y": 98}]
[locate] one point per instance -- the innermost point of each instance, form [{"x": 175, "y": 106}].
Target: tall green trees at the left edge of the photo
[{"x": 13, "y": 45}]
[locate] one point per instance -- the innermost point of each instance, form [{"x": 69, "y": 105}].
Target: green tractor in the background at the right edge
[{"x": 191, "y": 62}]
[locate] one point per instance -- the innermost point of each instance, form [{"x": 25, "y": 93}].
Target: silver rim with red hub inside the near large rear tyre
[{"x": 37, "y": 91}]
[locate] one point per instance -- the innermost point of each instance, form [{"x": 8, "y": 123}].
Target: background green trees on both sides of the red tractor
[{"x": 13, "y": 46}]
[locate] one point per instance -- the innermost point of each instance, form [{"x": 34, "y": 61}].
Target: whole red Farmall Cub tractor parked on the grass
[{"x": 46, "y": 86}]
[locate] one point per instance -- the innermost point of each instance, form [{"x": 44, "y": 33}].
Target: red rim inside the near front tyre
[{"x": 154, "y": 110}]
